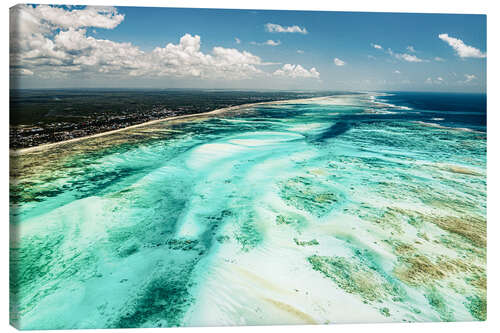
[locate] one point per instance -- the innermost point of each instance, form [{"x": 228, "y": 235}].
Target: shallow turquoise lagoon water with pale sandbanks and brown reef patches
[{"x": 331, "y": 210}]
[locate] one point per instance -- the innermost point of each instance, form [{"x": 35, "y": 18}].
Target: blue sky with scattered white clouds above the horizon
[{"x": 140, "y": 47}]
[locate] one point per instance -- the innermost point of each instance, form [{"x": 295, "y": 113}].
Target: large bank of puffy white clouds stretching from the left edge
[{"x": 48, "y": 45}]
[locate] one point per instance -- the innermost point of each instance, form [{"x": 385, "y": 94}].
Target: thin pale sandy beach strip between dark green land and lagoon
[{"x": 17, "y": 152}]
